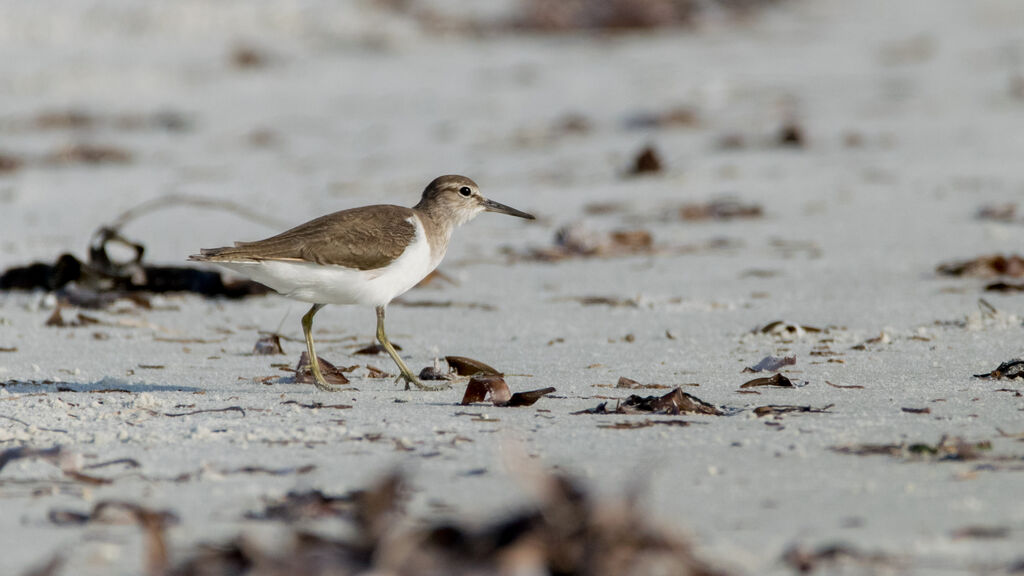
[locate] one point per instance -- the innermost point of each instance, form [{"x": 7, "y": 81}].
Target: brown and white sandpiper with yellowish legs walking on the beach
[{"x": 365, "y": 257}]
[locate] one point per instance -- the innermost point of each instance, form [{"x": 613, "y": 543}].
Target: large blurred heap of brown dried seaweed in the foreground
[{"x": 569, "y": 531}]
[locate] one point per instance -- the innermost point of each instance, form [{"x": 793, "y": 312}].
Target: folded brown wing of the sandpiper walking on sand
[{"x": 365, "y": 238}]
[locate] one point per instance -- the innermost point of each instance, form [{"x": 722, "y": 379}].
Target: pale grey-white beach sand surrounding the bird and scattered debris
[{"x": 366, "y": 107}]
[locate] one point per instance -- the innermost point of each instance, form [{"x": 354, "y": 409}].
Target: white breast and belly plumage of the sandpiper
[{"x": 339, "y": 285}]
